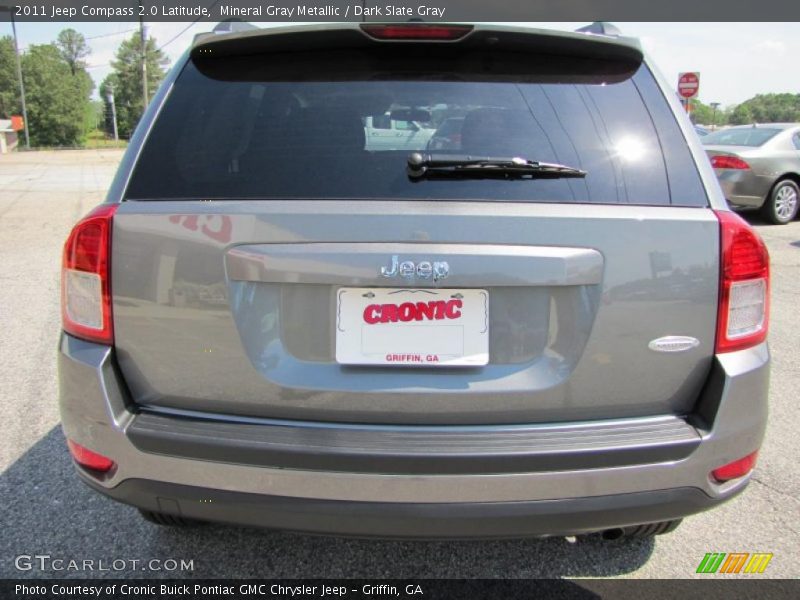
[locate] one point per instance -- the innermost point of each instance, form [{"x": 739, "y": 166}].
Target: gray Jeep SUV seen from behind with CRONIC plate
[{"x": 553, "y": 327}]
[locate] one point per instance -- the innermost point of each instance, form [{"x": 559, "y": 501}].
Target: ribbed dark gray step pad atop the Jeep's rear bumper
[{"x": 414, "y": 450}]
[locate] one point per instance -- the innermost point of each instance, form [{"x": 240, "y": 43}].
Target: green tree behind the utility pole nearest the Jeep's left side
[{"x": 126, "y": 80}]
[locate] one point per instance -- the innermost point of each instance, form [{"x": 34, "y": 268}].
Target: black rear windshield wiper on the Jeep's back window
[{"x": 432, "y": 166}]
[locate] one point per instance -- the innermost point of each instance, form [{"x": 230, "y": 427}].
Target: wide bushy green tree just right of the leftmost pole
[{"x": 56, "y": 99}]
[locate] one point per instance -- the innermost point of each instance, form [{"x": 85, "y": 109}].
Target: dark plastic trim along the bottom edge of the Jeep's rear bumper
[{"x": 410, "y": 520}]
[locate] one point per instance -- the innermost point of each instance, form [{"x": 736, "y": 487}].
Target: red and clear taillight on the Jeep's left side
[{"x": 85, "y": 271}]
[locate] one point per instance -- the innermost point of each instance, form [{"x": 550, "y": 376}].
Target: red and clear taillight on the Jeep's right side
[{"x": 743, "y": 317}]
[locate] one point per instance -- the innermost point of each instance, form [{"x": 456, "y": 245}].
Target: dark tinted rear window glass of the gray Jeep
[{"x": 239, "y": 131}]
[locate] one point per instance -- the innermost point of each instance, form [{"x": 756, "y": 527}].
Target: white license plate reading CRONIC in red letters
[{"x": 412, "y": 327}]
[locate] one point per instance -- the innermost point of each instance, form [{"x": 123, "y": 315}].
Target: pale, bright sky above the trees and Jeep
[{"x": 736, "y": 61}]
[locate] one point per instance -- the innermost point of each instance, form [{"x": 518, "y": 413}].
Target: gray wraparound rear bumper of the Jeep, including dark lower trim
[{"x": 564, "y": 490}]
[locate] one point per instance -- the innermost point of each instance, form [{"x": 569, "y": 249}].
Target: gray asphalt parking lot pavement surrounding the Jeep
[{"x": 46, "y": 510}]
